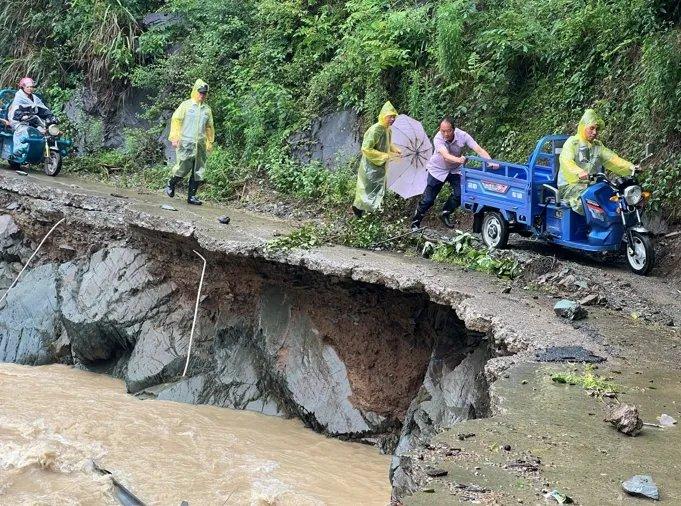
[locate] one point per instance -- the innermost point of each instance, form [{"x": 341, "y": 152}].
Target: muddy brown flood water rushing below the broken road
[{"x": 56, "y": 420}]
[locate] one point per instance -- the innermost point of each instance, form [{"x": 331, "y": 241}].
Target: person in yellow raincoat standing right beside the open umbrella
[{"x": 377, "y": 149}]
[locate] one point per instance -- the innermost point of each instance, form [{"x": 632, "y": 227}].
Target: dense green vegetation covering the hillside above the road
[{"x": 508, "y": 71}]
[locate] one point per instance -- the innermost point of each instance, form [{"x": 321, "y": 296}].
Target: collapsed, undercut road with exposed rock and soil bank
[{"x": 432, "y": 363}]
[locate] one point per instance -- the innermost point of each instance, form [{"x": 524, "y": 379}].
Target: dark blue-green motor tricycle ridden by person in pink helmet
[{"x": 46, "y": 145}]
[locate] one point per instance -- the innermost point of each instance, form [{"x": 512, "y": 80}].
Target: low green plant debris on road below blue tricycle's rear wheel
[{"x": 462, "y": 250}]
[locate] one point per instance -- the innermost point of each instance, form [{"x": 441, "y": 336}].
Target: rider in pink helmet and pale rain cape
[{"x": 25, "y": 111}]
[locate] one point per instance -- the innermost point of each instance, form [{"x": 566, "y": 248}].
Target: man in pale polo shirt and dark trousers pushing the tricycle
[{"x": 443, "y": 167}]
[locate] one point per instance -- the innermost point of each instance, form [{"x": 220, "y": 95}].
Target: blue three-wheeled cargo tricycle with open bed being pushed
[{"x": 524, "y": 199}]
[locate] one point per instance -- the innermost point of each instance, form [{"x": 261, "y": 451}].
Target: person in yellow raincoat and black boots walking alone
[{"x": 192, "y": 135}]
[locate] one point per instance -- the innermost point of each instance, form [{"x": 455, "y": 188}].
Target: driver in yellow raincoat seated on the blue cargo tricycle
[{"x": 584, "y": 155}]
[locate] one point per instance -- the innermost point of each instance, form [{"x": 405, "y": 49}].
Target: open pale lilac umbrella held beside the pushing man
[{"x": 407, "y": 175}]
